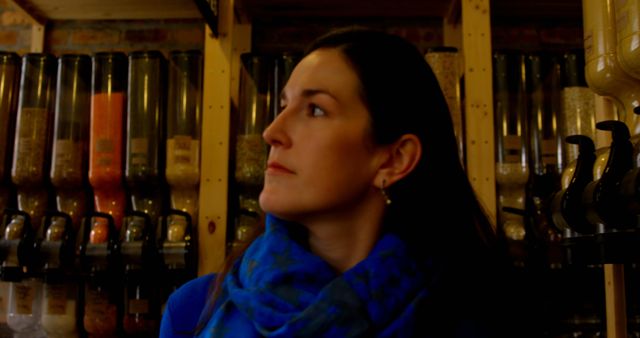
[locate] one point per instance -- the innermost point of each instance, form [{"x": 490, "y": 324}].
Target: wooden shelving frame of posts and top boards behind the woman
[{"x": 466, "y": 25}]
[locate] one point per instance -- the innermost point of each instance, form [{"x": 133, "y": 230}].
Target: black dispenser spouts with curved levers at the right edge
[{"x": 600, "y": 219}]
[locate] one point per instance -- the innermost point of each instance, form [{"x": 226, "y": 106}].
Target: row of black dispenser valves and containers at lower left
[{"x": 122, "y": 277}]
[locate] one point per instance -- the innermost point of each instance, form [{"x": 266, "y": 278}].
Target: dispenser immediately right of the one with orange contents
[{"x": 144, "y": 174}]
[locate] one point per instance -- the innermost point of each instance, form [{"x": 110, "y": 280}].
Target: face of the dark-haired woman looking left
[{"x": 322, "y": 160}]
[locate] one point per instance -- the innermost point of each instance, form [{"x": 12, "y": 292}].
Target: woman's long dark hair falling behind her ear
[{"x": 403, "y": 96}]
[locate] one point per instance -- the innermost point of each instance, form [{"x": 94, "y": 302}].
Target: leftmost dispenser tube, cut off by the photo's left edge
[{"x": 9, "y": 77}]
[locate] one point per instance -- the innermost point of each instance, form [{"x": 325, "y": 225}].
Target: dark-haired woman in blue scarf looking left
[{"x": 352, "y": 247}]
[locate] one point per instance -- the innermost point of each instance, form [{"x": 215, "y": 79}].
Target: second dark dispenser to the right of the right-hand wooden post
[{"x": 543, "y": 91}]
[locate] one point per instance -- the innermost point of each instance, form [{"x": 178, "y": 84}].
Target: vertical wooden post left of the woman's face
[{"x": 212, "y": 222}]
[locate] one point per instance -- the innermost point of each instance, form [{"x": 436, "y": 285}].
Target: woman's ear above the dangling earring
[{"x": 402, "y": 157}]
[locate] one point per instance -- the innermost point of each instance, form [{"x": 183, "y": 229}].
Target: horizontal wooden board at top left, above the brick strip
[{"x": 109, "y": 10}]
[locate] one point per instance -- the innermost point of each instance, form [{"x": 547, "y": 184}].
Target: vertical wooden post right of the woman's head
[{"x": 476, "y": 41}]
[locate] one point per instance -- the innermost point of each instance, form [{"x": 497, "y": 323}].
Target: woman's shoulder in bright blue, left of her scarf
[{"x": 184, "y": 307}]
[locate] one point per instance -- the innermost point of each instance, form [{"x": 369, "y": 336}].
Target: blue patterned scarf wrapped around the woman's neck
[{"x": 280, "y": 289}]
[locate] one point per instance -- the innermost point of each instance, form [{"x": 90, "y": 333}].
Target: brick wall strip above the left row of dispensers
[{"x": 74, "y": 36}]
